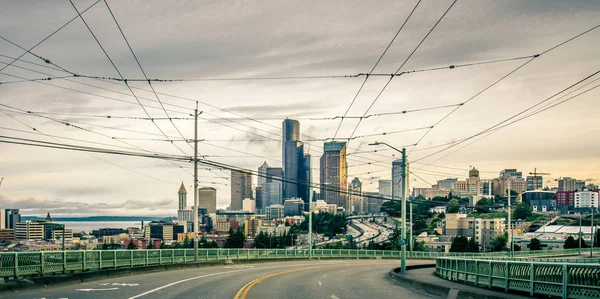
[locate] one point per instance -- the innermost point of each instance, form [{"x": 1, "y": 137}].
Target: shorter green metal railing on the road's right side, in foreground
[{"x": 566, "y": 278}]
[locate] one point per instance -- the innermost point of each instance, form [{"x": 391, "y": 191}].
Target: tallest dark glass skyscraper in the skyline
[{"x": 295, "y": 172}]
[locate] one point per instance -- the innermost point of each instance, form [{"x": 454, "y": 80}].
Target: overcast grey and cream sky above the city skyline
[{"x": 240, "y": 124}]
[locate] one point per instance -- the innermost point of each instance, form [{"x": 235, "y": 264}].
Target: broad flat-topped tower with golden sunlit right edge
[{"x": 333, "y": 173}]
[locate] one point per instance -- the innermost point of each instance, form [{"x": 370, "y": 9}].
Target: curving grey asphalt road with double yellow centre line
[{"x": 301, "y": 279}]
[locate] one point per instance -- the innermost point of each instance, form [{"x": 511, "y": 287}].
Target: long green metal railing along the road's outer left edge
[{"x": 19, "y": 264}]
